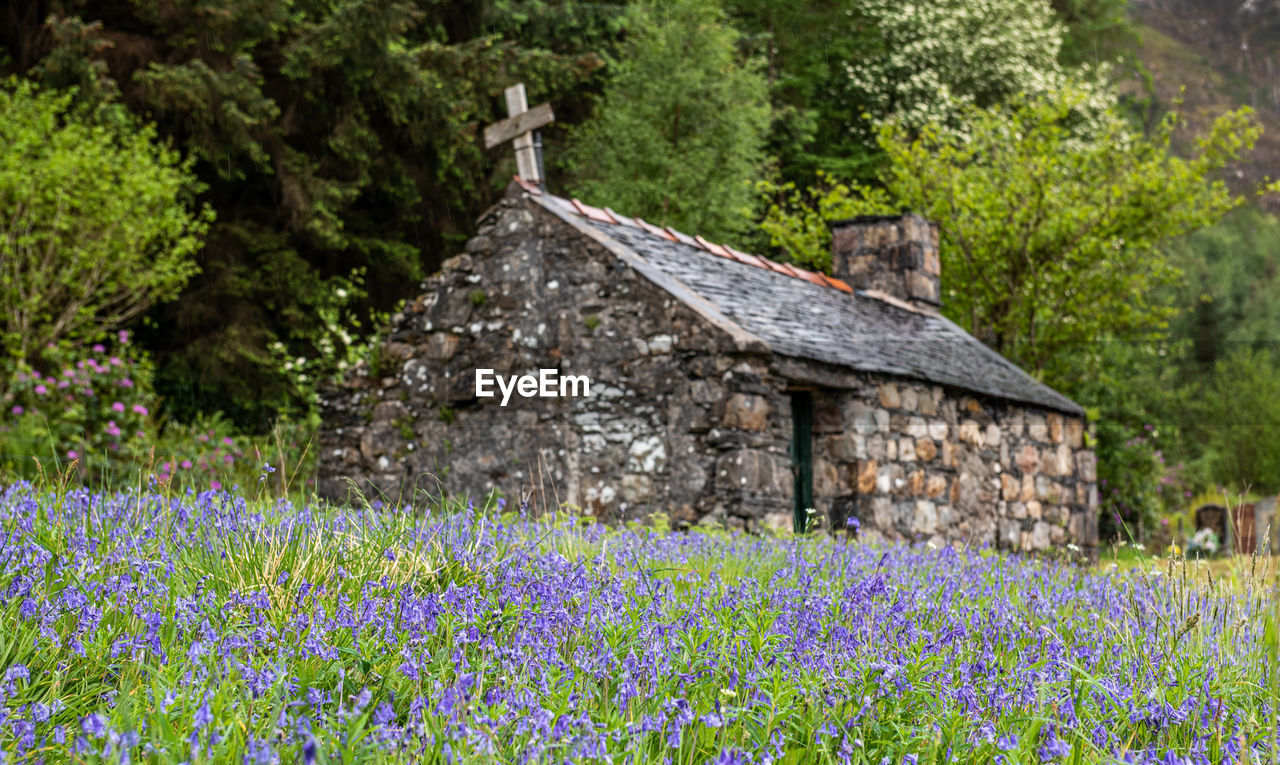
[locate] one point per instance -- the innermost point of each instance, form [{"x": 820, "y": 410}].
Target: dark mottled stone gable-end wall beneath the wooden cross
[{"x": 665, "y": 428}]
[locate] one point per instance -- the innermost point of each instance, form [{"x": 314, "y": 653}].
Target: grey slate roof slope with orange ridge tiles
[{"x": 813, "y": 318}]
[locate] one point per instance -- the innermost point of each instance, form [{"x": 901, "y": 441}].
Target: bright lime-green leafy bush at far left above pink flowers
[{"x": 97, "y": 225}]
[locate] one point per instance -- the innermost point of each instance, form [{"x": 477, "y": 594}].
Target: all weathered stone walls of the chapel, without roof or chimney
[{"x": 689, "y": 414}]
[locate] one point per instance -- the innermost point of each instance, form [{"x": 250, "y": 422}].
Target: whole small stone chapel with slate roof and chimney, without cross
[{"x": 724, "y": 388}]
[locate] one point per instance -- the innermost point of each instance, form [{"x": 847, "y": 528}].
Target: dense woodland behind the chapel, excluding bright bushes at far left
[{"x": 332, "y": 158}]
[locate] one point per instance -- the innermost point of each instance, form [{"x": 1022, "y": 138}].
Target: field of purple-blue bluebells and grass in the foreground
[{"x": 213, "y": 627}]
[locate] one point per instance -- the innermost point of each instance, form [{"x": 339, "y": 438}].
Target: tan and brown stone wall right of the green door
[{"x": 921, "y": 462}]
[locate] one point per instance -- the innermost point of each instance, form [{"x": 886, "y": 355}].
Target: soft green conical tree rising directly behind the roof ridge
[{"x": 679, "y": 134}]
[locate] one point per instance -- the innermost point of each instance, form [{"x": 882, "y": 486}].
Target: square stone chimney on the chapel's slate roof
[{"x": 890, "y": 255}]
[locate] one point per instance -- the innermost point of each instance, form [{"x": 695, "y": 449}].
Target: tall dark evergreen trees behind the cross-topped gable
[{"x": 333, "y": 140}]
